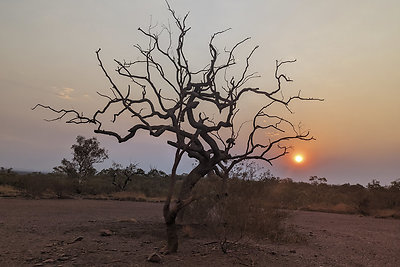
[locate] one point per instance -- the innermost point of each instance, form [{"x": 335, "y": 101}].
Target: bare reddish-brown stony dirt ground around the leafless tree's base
[{"x": 124, "y": 233}]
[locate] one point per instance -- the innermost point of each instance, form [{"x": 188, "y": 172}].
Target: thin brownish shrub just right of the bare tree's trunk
[{"x": 241, "y": 212}]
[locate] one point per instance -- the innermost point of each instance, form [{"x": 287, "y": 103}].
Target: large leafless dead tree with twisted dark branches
[{"x": 196, "y": 110}]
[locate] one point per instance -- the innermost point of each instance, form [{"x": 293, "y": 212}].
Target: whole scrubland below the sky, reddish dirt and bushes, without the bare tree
[{"x": 247, "y": 222}]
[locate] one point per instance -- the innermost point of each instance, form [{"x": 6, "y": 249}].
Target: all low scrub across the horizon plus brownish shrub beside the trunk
[{"x": 230, "y": 211}]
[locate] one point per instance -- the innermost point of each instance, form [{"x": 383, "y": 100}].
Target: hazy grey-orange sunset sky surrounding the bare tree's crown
[{"x": 347, "y": 51}]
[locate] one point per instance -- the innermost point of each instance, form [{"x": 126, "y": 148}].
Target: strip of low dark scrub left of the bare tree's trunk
[{"x": 55, "y": 185}]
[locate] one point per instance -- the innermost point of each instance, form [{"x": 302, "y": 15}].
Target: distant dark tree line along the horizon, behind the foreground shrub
[{"x": 136, "y": 184}]
